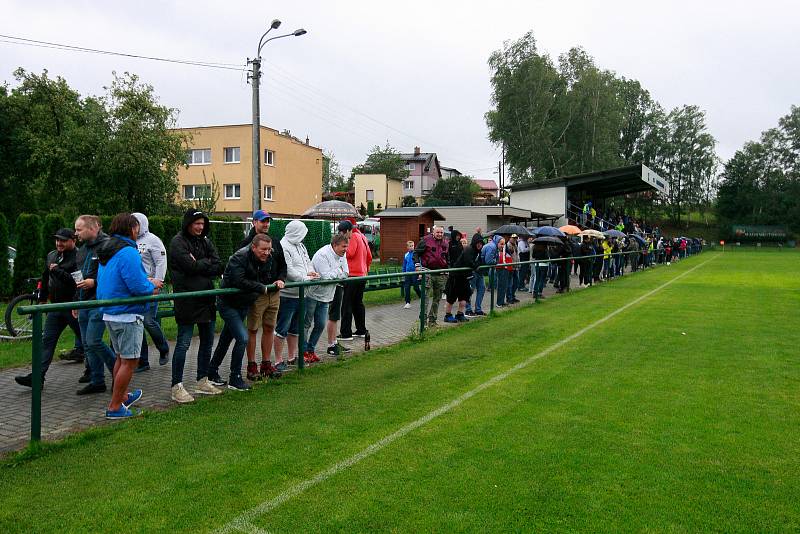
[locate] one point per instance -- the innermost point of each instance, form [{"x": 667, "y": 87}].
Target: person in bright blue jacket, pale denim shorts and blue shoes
[{"x": 121, "y": 275}]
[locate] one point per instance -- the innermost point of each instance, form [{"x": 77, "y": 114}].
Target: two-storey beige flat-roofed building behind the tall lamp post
[{"x": 291, "y": 170}]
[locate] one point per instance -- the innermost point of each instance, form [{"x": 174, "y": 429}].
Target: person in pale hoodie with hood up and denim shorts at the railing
[{"x": 298, "y": 268}]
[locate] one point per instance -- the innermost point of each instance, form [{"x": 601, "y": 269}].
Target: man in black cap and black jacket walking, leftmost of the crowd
[{"x": 57, "y": 286}]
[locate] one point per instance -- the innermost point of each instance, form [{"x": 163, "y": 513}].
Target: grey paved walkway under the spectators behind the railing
[{"x": 64, "y": 412}]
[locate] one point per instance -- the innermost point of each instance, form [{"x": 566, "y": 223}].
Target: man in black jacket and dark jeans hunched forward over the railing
[{"x": 250, "y": 269}]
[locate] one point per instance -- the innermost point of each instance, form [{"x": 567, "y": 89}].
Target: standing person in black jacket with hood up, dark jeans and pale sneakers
[{"x": 194, "y": 264}]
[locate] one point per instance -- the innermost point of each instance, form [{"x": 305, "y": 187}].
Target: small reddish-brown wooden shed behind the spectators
[{"x": 399, "y": 225}]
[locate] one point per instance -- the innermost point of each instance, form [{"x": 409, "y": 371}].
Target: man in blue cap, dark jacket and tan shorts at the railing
[{"x": 264, "y": 311}]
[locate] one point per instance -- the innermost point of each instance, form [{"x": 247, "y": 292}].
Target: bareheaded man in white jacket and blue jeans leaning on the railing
[{"x": 331, "y": 264}]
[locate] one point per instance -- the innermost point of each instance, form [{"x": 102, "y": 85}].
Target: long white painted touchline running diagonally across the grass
[{"x": 243, "y": 522}]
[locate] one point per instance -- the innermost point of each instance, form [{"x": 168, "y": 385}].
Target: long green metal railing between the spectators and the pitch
[{"x": 37, "y": 310}]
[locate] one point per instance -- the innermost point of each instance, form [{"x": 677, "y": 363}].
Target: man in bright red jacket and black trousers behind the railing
[{"x": 359, "y": 259}]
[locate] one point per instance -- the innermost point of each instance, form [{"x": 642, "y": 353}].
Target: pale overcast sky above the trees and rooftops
[{"x": 415, "y": 72}]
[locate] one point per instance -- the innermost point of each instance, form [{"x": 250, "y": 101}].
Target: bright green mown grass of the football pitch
[{"x": 633, "y": 426}]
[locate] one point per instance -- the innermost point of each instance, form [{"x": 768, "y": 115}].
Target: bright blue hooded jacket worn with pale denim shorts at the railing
[{"x": 121, "y": 275}]
